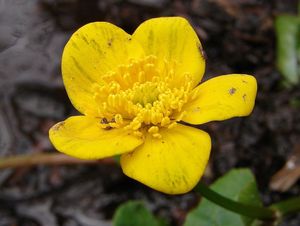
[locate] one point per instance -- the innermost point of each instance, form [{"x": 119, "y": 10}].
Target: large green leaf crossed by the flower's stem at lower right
[{"x": 238, "y": 185}]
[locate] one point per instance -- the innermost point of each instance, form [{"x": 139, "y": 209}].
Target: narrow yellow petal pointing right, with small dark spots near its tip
[{"x": 221, "y": 98}]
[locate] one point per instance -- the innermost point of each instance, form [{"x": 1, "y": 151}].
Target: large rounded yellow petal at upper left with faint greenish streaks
[{"x": 91, "y": 52}]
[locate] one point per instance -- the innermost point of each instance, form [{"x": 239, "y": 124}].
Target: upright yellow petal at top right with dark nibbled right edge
[{"x": 173, "y": 38}]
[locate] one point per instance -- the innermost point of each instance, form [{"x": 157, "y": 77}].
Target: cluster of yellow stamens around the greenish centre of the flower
[{"x": 143, "y": 95}]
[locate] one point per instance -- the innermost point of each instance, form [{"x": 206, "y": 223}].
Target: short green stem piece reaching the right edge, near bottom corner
[{"x": 287, "y": 206}]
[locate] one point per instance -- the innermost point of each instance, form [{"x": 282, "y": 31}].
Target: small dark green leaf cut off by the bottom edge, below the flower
[{"x": 134, "y": 213}]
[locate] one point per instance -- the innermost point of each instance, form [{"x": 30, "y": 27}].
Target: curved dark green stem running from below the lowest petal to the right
[{"x": 257, "y": 212}]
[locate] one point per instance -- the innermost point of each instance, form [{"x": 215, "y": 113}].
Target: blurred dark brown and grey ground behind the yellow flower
[{"x": 238, "y": 36}]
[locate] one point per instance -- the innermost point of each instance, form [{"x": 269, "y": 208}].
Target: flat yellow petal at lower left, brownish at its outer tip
[{"x": 82, "y": 137}]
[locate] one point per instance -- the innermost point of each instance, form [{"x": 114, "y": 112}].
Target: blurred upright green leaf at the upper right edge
[{"x": 288, "y": 48}]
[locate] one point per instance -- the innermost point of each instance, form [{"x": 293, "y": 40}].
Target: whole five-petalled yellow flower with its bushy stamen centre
[{"x": 133, "y": 92}]
